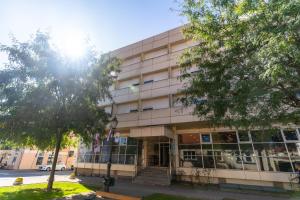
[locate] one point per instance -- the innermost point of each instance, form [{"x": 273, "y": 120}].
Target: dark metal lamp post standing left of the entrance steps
[{"x": 108, "y": 180}]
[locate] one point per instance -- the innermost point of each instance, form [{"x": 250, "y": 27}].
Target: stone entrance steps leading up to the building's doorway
[{"x": 153, "y": 176}]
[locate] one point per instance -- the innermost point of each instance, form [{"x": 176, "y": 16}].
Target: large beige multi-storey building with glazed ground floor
[{"x": 156, "y": 136}]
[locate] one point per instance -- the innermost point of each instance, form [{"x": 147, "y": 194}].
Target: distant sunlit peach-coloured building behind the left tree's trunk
[{"x": 32, "y": 158}]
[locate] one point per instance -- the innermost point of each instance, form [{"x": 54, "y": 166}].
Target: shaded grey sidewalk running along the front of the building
[{"x": 126, "y": 187}]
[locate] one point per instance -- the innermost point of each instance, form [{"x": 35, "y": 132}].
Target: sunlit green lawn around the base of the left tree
[{"x": 38, "y": 191}]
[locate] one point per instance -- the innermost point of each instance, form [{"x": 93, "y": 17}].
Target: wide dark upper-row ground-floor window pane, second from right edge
[{"x": 273, "y": 135}]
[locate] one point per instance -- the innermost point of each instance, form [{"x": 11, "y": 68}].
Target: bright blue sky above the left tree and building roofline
[{"x": 110, "y": 24}]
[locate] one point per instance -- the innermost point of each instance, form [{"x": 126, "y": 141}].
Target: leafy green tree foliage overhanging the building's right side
[{"x": 247, "y": 59}]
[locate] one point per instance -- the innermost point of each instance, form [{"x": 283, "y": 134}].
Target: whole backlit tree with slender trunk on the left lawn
[{"x": 44, "y": 96}]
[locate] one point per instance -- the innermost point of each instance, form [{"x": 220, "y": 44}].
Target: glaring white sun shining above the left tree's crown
[{"x": 72, "y": 44}]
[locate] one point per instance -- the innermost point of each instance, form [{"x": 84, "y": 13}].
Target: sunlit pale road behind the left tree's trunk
[{"x": 7, "y": 177}]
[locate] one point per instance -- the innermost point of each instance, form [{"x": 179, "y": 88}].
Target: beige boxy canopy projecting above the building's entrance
[{"x": 151, "y": 131}]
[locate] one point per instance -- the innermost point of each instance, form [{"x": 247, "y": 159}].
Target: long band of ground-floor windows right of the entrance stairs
[{"x": 263, "y": 150}]
